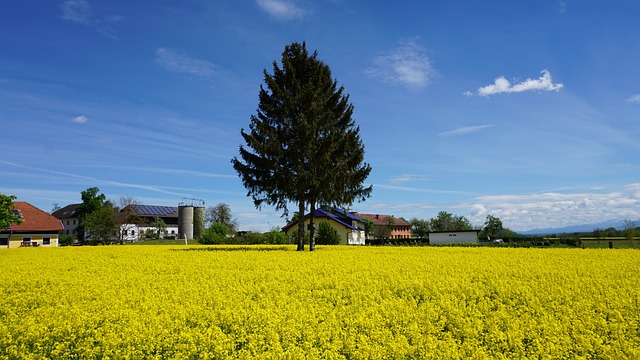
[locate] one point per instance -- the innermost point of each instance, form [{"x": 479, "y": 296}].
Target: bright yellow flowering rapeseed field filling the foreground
[{"x": 136, "y": 302}]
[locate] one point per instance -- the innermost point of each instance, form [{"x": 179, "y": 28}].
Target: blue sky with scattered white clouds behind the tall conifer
[{"x": 526, "y": 110}]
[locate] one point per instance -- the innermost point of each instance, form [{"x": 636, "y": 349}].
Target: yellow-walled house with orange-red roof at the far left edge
[{"x": 37, "y": 228}]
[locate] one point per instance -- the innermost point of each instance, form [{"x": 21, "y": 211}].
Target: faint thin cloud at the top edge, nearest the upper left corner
[{"x": 81, "y": 12}]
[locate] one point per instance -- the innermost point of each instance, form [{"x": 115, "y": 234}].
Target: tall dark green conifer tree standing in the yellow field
[{"x": 303, "y": 146}]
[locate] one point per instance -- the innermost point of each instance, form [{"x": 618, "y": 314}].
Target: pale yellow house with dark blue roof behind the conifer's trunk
[{"x": 349, "y": 227}]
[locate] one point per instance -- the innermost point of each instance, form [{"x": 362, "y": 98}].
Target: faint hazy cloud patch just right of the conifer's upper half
[{"x": 406, "y": 65}]
